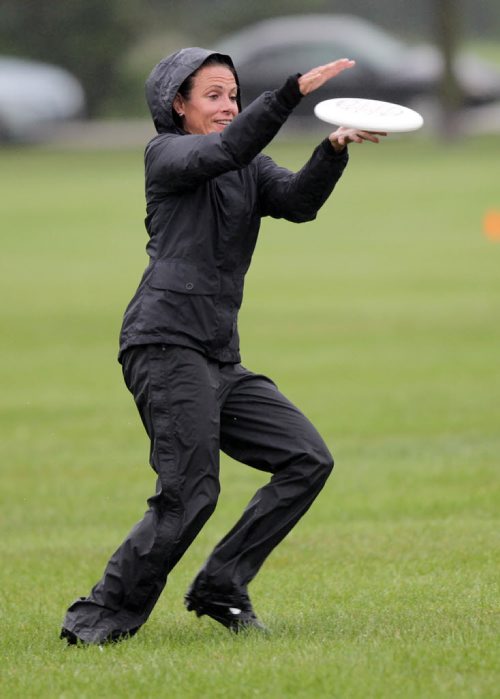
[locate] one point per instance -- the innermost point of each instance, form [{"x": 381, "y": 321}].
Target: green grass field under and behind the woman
[{"x": 380, "y": 319}]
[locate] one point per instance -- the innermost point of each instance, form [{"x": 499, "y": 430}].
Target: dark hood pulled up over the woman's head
[{"x": 166, "y": 78}]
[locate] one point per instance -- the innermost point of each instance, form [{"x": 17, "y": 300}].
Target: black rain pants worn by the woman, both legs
[{"x": 192, "y": 407}]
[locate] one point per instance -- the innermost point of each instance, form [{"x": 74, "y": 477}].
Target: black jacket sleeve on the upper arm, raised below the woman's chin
[{"x": 182, "y": 161}]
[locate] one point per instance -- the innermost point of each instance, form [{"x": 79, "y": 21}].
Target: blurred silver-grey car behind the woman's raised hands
[{"x": 386, "y": 68}]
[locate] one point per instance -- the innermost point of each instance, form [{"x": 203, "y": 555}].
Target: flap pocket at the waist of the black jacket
[{"x": 183, "y": 277}]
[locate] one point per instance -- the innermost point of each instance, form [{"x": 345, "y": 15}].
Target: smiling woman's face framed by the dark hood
[{"x": 212, "y": 104}]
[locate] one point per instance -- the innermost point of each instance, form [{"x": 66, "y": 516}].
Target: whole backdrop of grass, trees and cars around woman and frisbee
[{"x": 379, "y": 319}]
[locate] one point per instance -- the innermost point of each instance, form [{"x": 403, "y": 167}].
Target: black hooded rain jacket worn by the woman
[{"x": 206, "y": 196}]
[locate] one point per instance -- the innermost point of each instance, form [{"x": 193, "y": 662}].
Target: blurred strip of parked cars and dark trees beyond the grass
[{"x": 87, "y": 60}]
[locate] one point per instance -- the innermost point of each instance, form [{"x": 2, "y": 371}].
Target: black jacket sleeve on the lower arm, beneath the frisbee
[{"x": 299, "y": 196}]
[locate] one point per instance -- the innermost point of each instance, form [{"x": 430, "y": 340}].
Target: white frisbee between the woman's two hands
[{"x": 369, "y": 115}]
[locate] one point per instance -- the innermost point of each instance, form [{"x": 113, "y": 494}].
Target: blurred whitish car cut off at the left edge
[{"x": 34, "y": 96}]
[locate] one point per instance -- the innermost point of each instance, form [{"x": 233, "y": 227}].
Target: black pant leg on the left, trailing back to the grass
[{"x": 175, "y": 390}]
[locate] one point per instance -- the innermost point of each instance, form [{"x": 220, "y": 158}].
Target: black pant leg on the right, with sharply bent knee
[{"x": 262, "y": 428}]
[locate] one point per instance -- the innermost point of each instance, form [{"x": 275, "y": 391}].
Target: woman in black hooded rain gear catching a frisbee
[{"x": 207, "y": 188}]
